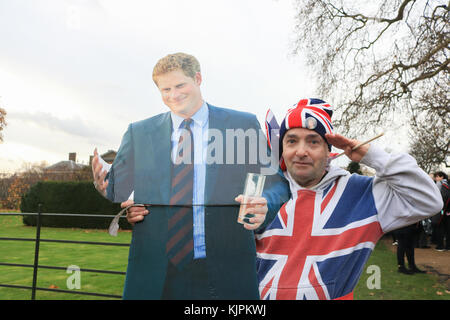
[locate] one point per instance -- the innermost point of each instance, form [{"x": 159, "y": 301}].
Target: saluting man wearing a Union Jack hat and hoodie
[{"x": 318, "y": 243}]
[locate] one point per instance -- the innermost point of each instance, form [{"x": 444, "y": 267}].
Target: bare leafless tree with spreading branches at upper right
[{"x": 380, "y": 62}]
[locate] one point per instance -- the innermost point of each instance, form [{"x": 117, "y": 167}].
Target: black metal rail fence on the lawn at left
[{"x": 36, "y": 265}]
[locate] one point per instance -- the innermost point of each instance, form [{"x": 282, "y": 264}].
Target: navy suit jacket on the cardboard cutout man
[{"x": 143, "y": 164}]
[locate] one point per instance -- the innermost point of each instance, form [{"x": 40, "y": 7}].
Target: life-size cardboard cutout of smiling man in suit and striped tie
[{"x": 186, "y": 241}]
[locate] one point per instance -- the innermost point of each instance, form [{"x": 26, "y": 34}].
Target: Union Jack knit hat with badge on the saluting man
[{"x": 313, "y": 114}]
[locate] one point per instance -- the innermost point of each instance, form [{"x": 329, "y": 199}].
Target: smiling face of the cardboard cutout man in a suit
[{"x": 180, "y": 92}]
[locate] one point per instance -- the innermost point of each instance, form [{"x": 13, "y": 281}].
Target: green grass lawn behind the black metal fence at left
[{"x": 85, "y": 256}]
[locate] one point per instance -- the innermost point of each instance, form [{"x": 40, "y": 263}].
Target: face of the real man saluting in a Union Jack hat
[{"x": 305, "y": 154}]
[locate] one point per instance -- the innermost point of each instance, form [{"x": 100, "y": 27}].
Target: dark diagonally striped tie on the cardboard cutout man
[{"x": 180, "y": 244}]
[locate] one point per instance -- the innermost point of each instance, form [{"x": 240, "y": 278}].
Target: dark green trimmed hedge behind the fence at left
[{"x": 69, "y": 197}]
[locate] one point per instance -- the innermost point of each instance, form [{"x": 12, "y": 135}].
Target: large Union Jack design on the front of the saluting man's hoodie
[{"x": 317, "y": 245}]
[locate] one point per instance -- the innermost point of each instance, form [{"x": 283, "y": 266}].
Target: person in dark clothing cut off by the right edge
[{"x": 442, "y": 219}]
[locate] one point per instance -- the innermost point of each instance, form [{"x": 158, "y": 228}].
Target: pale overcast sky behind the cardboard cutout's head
[{"x": 75, "y": 73}]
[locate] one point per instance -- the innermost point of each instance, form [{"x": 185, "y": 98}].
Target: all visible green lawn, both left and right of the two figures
[{"x": 394, "y": 286}]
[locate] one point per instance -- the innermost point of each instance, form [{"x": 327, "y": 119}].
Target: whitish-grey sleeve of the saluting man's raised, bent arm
[{"x": 403, "y": 193}]
